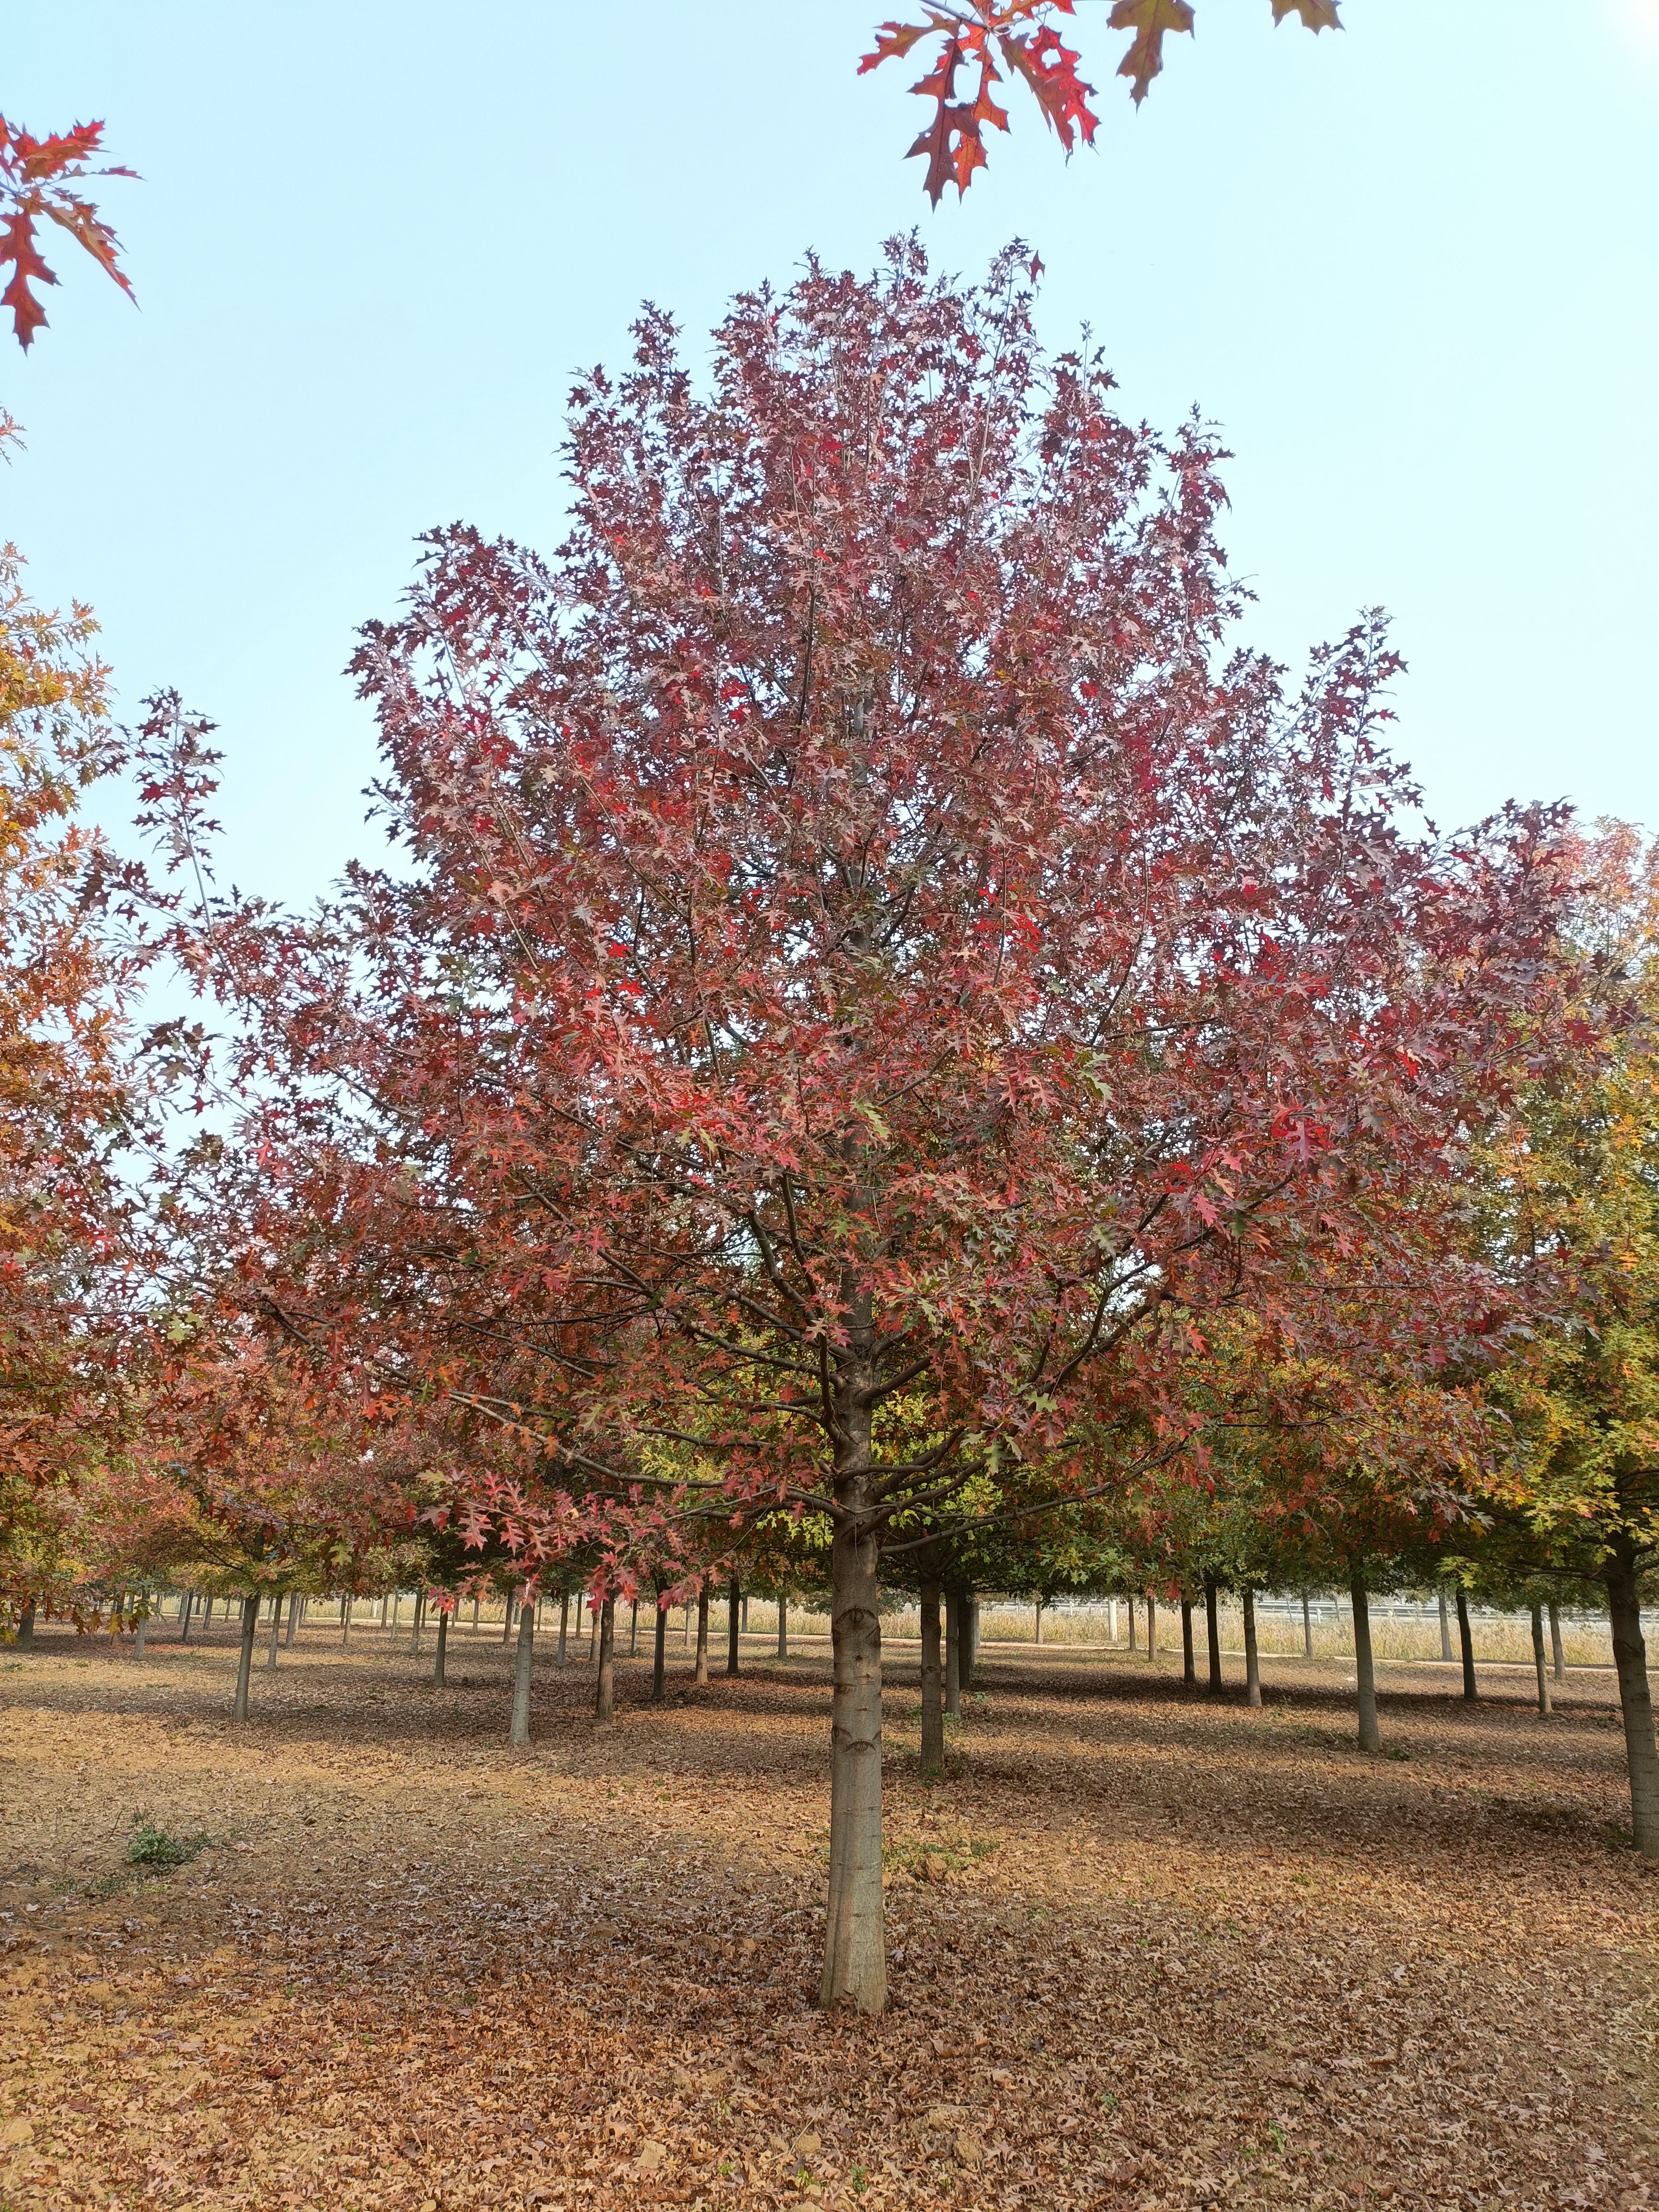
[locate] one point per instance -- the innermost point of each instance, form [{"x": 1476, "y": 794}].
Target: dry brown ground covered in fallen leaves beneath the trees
[{"x": 1147, "y": 1952}]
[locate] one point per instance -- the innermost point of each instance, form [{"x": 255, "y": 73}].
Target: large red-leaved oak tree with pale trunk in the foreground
[{"x": 868, "y": 970}]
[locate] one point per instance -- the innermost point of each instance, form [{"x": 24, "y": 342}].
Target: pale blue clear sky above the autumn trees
[{"x": 1410, "y": 271}]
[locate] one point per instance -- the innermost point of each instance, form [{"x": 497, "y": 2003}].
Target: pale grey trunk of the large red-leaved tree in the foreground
[{"x": 855, "y": 1959}]
